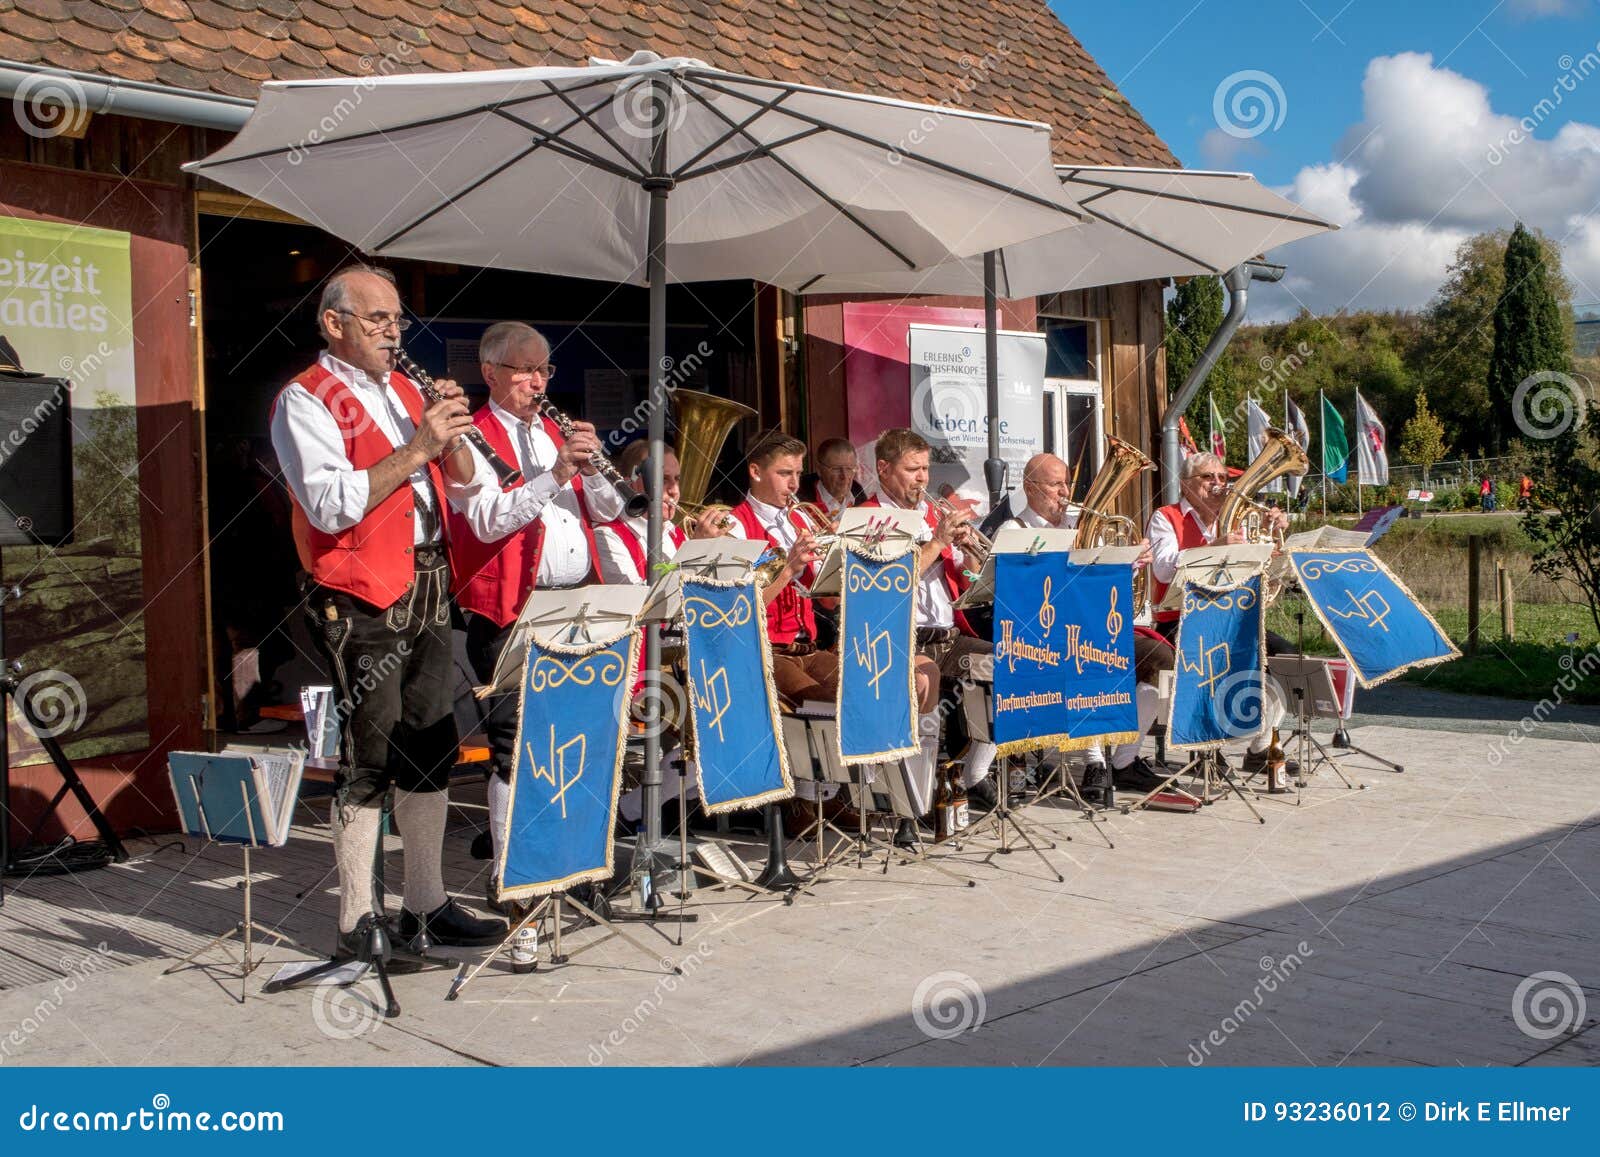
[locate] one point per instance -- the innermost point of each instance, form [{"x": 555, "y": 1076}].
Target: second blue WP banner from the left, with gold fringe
[{"x": 734, "y": 711}]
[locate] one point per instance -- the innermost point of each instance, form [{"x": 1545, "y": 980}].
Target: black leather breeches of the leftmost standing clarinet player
[{"x": 394, "y": 681}]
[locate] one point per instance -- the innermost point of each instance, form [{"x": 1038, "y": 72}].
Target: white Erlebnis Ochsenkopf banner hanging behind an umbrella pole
[{"x": 950, "y": 406}]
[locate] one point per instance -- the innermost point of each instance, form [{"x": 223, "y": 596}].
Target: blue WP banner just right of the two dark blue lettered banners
[{"x": 1218, "y": 684}]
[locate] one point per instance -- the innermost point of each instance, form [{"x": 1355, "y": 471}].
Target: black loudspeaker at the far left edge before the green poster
[{"x": 36, "y": 462}]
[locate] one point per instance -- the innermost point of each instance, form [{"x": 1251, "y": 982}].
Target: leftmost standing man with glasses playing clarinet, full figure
[{"x": 362, "y": 457}]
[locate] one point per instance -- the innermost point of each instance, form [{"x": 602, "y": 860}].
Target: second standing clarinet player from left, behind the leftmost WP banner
[{"x": 537, "y": 535}]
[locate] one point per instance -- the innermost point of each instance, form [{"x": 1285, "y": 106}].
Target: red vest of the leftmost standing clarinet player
[{"x": 372, "y": 561}]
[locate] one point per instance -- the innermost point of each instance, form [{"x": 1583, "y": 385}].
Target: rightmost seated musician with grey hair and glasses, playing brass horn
[{"x": 1191, "y": 524}]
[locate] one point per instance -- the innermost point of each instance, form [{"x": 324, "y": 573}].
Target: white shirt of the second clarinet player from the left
[{"x": 495, "y": 513}]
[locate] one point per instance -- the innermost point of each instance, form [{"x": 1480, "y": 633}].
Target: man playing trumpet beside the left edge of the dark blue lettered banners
[{"x": 945, "y": 638}]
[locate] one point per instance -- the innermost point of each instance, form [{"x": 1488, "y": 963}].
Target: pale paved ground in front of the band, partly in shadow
[{"x": 1391, "y": 926}]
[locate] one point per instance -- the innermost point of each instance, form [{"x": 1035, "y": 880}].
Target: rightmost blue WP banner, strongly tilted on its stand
[{"x": 1375, "y": 622}]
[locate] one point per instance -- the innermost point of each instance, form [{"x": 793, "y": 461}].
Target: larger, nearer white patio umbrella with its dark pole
[{"x": 646, "y": 172}]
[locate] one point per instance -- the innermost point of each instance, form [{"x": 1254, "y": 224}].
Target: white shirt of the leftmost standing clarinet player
[{"x": 311, "y": 450}]
